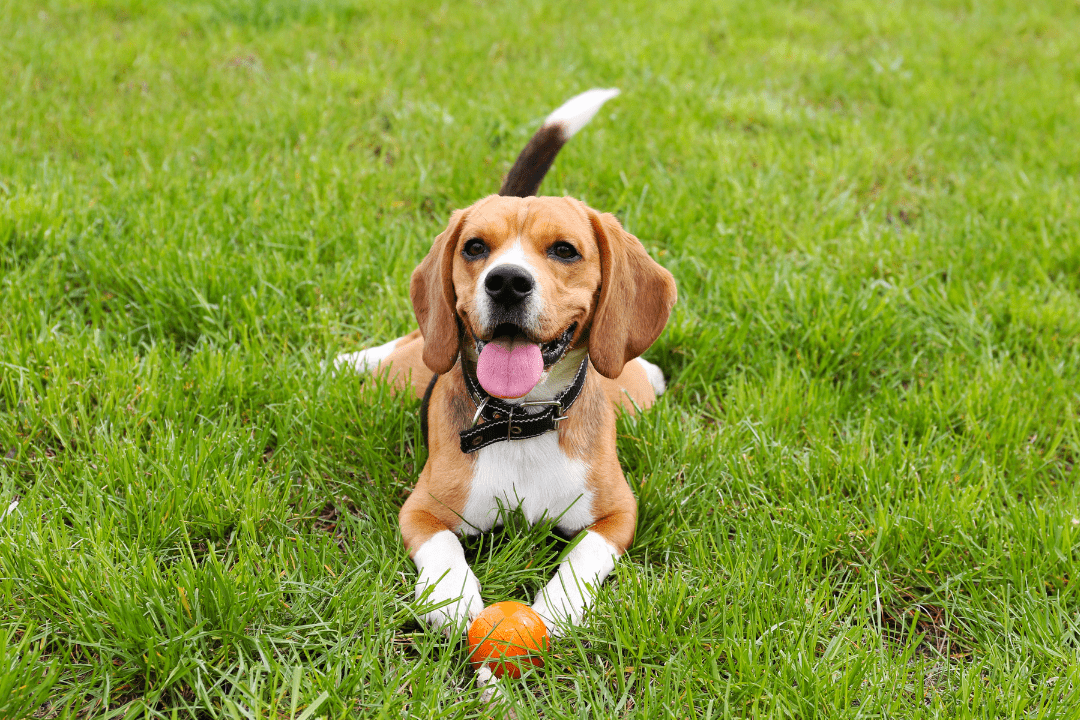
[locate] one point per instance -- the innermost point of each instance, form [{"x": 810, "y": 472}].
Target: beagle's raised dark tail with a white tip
[{"x": 536, "y": 159}]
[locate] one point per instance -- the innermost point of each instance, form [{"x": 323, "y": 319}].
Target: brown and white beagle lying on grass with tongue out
[{"x": 533, "y": 314}]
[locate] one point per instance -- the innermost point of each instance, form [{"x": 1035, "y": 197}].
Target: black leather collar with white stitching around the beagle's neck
[{"x": 504, "y": 422}]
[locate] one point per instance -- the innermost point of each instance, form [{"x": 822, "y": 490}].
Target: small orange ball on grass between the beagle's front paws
[{"x": 506, "y": 636}]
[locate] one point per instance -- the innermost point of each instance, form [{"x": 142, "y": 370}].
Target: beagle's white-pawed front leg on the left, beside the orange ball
[{"x": 445, "y": 578}]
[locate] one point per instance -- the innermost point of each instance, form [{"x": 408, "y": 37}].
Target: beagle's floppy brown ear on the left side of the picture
[{"x": 431, "y": 290}]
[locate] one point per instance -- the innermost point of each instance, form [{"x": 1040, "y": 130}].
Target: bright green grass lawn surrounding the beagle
[{"x": 859, "y": 498}]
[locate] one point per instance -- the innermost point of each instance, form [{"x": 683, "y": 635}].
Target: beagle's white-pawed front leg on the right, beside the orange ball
[{"x": 566, "y": 597}]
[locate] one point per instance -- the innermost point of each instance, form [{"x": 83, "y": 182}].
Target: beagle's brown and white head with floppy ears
[{"x": 547, "y": 271}]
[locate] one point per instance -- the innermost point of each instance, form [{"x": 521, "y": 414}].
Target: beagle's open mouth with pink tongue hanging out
[{"x": 511, "y": 364}]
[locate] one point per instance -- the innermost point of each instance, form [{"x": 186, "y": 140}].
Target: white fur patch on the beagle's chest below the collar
[{"x": 534, "y": 476}]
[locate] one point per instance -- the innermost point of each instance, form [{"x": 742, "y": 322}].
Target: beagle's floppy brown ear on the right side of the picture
[{"x": 637, "y": 298}]
